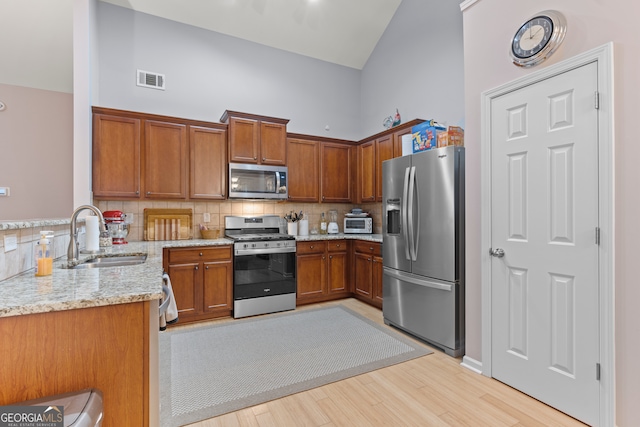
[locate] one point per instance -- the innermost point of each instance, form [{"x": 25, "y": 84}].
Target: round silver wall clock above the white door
[{"x": 538, "y": 38}]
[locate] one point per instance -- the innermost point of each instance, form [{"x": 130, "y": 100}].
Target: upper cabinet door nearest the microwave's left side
[{"x": 208, "y": 163}]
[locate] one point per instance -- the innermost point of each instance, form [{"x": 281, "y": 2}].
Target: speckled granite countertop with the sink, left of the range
[{"x": 68, "y": 289}]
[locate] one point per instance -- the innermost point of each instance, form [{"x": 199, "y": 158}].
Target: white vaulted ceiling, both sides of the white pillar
[{"x": 37, "y": 47}]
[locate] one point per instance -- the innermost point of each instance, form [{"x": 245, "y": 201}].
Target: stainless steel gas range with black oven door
[{"x": 264, "y": 265}]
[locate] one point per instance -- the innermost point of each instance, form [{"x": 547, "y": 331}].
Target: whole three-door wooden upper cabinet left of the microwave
[{"x": 144, "y": 156}]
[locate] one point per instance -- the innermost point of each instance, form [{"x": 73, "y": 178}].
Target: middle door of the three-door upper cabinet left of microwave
[{"x": 165, "y": 171}]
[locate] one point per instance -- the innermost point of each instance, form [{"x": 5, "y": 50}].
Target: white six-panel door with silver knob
[{"x": 544, "y": 216}]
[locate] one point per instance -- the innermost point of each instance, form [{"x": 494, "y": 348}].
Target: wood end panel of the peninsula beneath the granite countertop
[{"x": 100, "y": 347}]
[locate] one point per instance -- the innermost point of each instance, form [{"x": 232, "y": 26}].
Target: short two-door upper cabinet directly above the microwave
[{"x": 256, "y": 139}]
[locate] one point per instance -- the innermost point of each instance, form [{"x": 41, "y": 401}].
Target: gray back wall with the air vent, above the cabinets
[{"x": 208, "y": 72}]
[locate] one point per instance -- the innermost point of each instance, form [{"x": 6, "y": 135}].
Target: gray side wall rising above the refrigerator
[{"x": 416, "y": 67}]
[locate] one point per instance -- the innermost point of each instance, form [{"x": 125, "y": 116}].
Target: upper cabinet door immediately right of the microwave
[{"x": 304, "y": 170}]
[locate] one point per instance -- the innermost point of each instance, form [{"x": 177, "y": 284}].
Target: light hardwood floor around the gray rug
[{"x": 432, "y": 390}]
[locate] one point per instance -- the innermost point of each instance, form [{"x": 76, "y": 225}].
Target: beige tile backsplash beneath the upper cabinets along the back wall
[{"x": 218, "y": 210}]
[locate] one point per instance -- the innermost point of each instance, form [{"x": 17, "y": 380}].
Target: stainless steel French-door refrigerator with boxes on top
[{"x": 423, "y": 246}]
